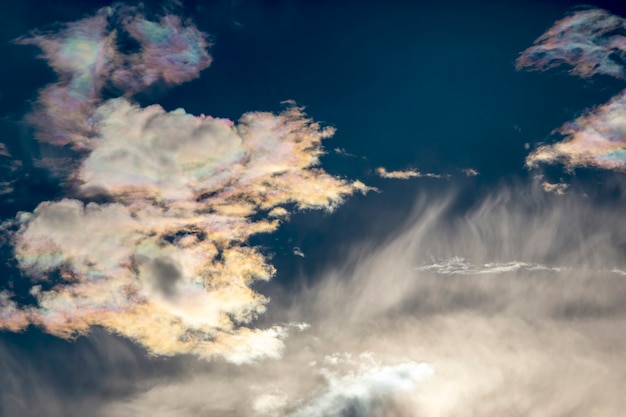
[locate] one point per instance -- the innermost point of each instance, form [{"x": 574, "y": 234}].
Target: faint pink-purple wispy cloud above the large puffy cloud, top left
[{"x": 88, "y": 58}]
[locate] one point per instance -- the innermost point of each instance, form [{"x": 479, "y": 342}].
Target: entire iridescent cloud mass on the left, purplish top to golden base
[{"x": 166, "y": 262}]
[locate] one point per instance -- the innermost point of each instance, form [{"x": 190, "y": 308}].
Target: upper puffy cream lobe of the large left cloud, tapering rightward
[{"x": 210, "y": 164}]
